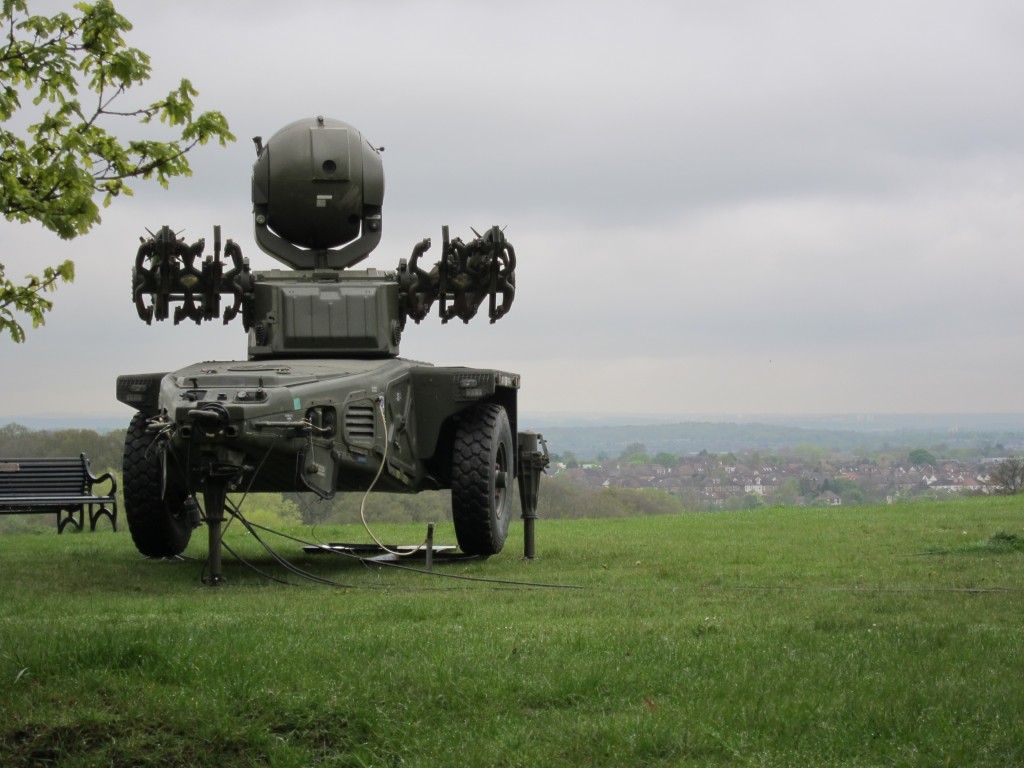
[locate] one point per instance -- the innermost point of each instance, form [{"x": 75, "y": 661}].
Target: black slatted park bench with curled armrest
[{"x": 64, "y": 487}]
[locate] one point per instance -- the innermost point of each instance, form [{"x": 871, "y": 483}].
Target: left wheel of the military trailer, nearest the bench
[{"x": 157, "y": 517}]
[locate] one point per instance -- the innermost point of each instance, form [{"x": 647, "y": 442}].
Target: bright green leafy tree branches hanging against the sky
[{"x": 74, "y": 69}]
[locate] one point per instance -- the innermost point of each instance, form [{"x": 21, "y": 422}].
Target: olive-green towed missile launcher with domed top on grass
[{"x": 324, "y": 404}]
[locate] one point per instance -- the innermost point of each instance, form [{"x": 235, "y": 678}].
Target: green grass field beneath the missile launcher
[{"x": 869, "y": 636}]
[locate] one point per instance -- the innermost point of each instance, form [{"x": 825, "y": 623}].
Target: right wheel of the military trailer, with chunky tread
[{"x": 482, "y": 481}]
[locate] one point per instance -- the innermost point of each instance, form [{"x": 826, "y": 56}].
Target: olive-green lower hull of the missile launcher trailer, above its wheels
[{"x": 314, "y": 425}]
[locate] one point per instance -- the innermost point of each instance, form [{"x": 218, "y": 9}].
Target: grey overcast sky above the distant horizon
[{"x": 717, "y": 207}]
